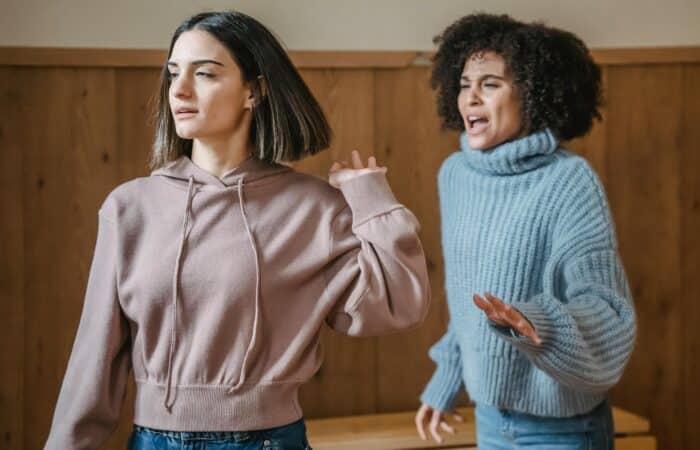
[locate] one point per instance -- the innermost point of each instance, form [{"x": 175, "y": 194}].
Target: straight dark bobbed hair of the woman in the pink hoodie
[{"x": 288, "y": 123}]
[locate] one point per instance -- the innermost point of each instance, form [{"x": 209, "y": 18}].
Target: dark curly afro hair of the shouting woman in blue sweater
[{"x": 556, "y": 77}]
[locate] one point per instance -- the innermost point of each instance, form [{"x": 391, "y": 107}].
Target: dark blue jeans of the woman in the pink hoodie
[{"x": 287, "y": 437}]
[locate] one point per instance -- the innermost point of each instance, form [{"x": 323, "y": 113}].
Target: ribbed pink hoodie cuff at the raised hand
[{"x": 369, "y": 195}]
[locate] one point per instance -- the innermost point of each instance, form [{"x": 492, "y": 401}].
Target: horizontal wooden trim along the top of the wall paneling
[{"x": 343, "y": 59}]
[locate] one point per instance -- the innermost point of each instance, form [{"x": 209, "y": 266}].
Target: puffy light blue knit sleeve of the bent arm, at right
[{"x": 584, "y": 316}]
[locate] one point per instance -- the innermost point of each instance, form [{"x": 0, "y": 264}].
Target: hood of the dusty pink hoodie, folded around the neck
[{"x": 250, "y": 170}]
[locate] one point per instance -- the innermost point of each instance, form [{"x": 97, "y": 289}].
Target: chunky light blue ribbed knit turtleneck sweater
[{"x": 529, "y": 223}]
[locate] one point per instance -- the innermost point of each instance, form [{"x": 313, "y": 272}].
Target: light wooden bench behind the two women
[{"x": 397, "y": 431}]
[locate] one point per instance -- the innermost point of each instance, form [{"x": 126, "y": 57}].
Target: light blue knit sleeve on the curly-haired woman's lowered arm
[{"x": 446, "y": 382}]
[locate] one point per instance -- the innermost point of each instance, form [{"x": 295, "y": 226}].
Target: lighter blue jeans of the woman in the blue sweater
[{"x": 498, "y": 429}]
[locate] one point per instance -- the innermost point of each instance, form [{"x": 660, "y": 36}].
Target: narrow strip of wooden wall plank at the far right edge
[{"x": 690, "y": 254}]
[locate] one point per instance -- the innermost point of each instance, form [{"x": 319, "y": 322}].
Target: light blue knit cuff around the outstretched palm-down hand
[{"x": 541, "y": 322}]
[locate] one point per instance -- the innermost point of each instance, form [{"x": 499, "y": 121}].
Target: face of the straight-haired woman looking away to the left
[{"x": 208, "y": 97}]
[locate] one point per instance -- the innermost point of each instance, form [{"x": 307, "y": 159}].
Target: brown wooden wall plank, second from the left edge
[{"x": 48, "y": 198}]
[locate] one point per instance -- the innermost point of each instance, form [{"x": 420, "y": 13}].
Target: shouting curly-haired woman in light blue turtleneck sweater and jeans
[{"x": 541, "y": 317}]
